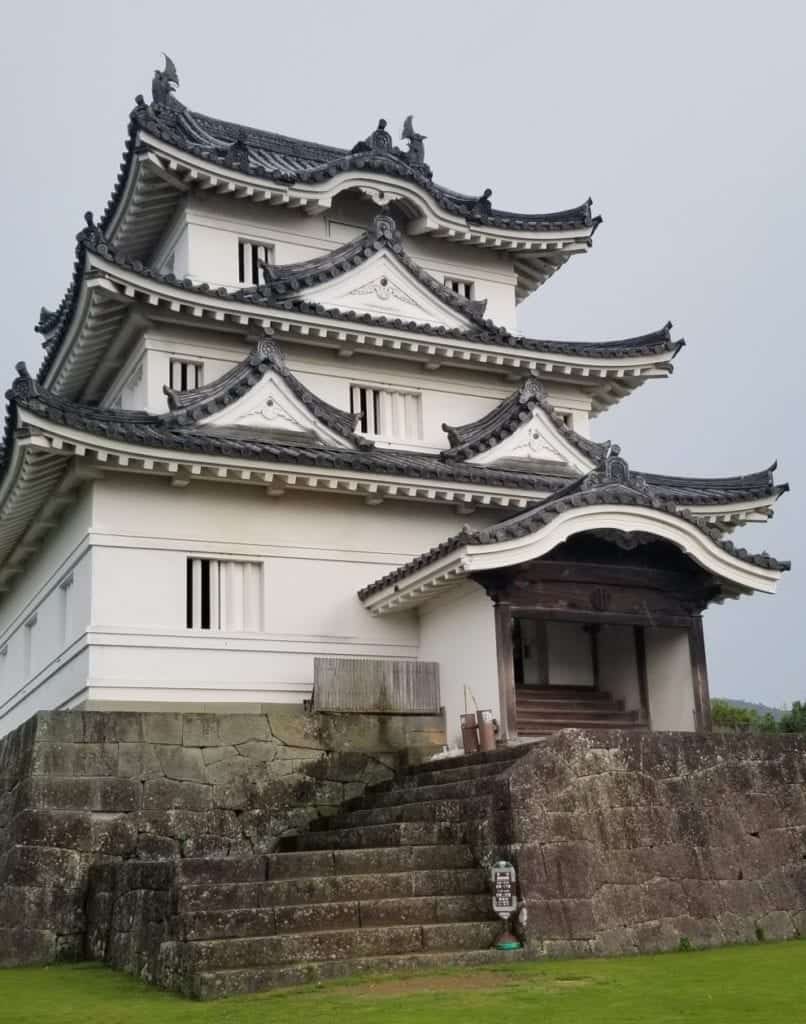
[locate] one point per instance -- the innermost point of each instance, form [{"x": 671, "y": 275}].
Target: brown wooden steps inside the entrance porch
[{"x": 542, "y": 712}]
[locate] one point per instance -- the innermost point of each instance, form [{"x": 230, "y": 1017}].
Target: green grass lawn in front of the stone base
[{"x": 762, "y": 985}]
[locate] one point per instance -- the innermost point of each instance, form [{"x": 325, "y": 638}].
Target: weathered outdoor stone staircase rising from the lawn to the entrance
[{"x": 397, "y": 880}]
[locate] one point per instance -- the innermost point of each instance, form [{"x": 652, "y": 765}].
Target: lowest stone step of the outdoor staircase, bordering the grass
[{"x": 242, "y": 982}]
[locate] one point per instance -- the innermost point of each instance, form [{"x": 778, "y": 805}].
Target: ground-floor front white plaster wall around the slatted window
[{"x": 317, "y": 552}]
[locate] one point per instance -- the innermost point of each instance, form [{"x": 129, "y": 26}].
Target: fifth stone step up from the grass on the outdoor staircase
[{"x": 376, "y": 861}]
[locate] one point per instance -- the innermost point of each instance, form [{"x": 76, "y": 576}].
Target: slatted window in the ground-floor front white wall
[{"x": 225, "y": 596}]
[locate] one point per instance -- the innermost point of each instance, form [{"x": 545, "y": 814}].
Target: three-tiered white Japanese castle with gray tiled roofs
[{"x": 285, "y": 437}]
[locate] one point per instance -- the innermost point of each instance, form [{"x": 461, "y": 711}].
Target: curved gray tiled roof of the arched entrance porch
[{"x": 613, "y": 483}]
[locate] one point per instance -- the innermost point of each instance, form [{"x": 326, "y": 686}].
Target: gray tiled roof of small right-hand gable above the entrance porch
[{"x": 490, "y": 431}]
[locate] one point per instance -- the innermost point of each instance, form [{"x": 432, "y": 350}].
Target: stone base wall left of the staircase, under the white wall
[{"x": 83, "y": 788}]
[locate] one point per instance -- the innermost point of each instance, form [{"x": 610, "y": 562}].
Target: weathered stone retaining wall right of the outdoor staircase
[{"x": 638, "y": 843}]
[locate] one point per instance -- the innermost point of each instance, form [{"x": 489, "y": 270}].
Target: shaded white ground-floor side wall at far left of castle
[{"x": 44, "y": 622}]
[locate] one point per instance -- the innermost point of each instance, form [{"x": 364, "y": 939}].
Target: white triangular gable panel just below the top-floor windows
[{"x": 384, "y": 288}]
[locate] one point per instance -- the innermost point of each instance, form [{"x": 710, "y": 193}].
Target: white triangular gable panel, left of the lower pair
[{"x": 272, "y": 406}]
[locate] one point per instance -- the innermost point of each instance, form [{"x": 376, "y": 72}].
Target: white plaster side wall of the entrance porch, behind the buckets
[{"x": 459, "y": 632}]
